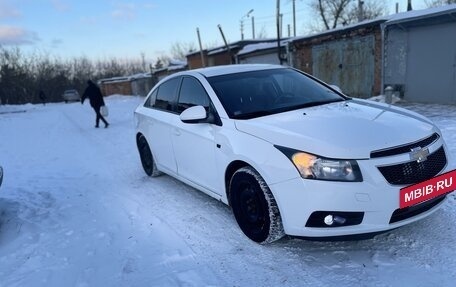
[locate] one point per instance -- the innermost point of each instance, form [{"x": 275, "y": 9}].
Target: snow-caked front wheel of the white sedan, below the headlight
[{"x": 254, "y": 206}]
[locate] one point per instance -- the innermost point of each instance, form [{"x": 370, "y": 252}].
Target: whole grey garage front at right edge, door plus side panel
[{"x": 421, "y": 60}]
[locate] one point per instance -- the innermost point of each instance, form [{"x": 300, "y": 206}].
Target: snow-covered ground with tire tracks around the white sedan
[{"x": 76, "y": 209}]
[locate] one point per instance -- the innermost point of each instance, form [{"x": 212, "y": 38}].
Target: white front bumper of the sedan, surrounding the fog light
[{"x": 374, "y": 199}]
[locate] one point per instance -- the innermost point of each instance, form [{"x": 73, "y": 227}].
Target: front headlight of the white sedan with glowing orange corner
[{"x": 315, "y": 167}]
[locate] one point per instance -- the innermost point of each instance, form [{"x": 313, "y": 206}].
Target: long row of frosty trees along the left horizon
[{"x": 22, "y": 75}]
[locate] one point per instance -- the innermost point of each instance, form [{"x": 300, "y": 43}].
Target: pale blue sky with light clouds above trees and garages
[{"x": 125, "y": 29}]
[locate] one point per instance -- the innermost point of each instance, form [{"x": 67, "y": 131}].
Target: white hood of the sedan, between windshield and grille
[{"x": 346, "y": 130}]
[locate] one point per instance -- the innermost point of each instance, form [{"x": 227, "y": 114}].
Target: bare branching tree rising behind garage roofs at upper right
[{"x": 334, "y": 13}]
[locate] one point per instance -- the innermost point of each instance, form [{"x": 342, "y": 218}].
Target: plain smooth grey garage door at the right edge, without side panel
[{"x": 431, "y": 64}]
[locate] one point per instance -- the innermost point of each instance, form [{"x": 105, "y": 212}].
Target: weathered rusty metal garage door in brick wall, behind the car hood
[{"x": 348, "y": 64}]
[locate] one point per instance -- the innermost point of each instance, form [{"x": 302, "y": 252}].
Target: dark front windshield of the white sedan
[{"x": 254, "y": 94}]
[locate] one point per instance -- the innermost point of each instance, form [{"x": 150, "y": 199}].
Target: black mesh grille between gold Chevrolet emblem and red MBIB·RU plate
[{"x": 413, "y": 171}]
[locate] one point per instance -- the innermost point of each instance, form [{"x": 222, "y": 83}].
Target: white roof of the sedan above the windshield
[{"x": 237, "y": 68}]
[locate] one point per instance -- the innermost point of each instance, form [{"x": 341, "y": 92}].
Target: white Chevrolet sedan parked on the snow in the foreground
[{"x": 289, "y": 153}]
